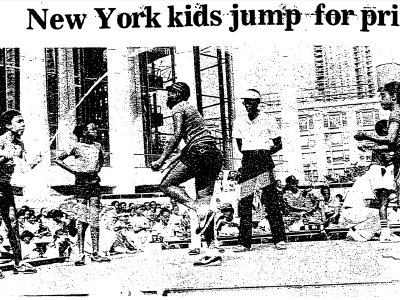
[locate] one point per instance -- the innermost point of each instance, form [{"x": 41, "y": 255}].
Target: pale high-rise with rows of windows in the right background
[{"x": 341, "y": 103}]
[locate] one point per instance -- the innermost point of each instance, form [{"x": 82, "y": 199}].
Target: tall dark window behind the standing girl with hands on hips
[{"x": 88, "y": 65}]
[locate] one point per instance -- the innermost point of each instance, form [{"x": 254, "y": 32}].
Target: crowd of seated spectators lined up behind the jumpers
[{"x": 129, "y": 227}]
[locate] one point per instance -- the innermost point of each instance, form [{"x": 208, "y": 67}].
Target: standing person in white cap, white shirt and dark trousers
[{"x": 258, "y": 137}]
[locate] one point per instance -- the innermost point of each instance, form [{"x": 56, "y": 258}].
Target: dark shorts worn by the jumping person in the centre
[{"x": 204, "y": 160}]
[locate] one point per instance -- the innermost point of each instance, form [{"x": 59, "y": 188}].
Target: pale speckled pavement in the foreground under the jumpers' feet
[{"x": 329, "y": 269}]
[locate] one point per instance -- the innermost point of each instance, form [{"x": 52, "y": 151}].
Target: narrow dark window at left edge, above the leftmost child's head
[{"x": 9, "y": 79}]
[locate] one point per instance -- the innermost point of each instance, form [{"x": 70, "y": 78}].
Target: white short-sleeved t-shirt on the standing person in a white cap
[{"x": 256, "y": 134}]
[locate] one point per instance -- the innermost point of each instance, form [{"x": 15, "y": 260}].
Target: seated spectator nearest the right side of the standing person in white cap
[{"x": 300, "y": 205}]
